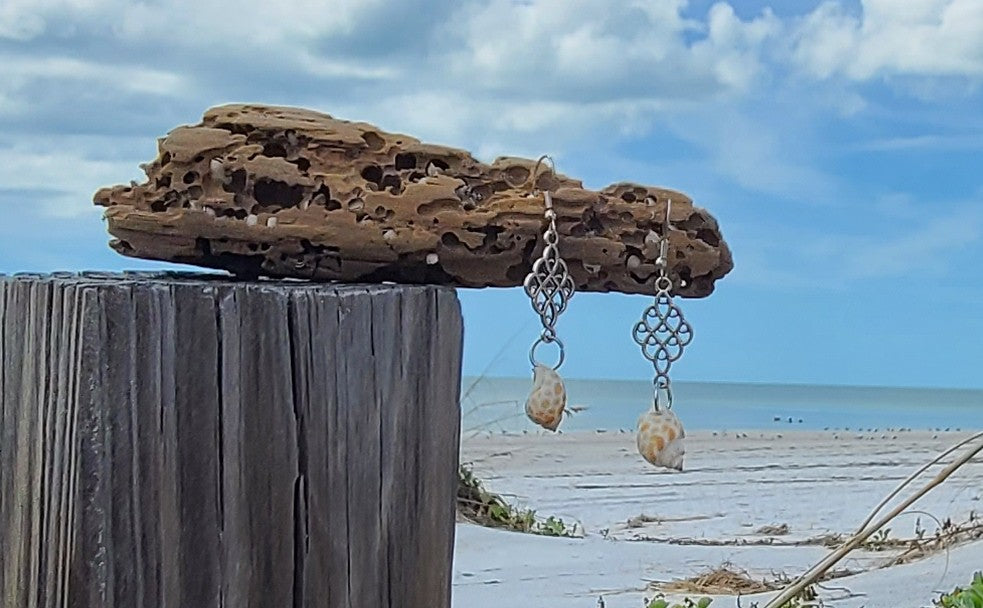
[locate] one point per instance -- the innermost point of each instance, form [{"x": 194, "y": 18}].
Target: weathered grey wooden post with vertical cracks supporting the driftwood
[{"x": 174, "y": 442}]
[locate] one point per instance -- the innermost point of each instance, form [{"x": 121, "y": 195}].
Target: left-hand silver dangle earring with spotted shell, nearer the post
[{"x": 549, "y": 287}]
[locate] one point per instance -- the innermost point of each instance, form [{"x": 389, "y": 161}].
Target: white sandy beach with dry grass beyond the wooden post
[{"x": 643, "y": 527}]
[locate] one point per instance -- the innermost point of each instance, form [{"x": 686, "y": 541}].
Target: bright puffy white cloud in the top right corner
[{"x": 889, "y": 38}]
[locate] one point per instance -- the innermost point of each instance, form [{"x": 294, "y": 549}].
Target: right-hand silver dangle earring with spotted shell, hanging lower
[{"x": 662, "y": 333}]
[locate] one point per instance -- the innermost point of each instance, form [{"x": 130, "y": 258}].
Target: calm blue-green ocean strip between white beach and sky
[{"x": 497, "y": 404}]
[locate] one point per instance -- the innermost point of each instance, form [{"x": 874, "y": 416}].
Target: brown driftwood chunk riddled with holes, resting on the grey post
[{"x": 292, "y": 193}]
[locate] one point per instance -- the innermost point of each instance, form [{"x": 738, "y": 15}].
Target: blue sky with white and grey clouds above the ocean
[{"x": 838, "y": 143}]
